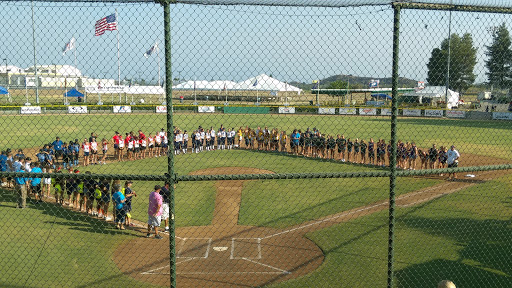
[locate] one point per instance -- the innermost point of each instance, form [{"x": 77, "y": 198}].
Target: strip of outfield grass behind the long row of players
[{"x": 488, "y": 138}]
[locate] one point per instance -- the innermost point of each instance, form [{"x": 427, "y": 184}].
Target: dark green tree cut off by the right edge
[{"x": 500, "y": 58}]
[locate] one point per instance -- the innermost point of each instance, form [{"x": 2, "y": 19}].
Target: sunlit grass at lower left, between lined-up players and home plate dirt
[{"x": 49, "y": 246}]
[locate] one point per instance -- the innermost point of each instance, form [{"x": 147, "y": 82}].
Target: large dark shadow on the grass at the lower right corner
[{"x": 484, "y": 256}]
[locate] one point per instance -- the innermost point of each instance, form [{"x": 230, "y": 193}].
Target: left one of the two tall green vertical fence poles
[{"x": 170, "y": 155}]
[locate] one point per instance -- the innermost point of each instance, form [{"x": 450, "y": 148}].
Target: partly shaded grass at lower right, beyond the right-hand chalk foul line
[{"x": 464, "y": 237}]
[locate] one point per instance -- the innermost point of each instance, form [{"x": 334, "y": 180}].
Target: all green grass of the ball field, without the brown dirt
[{"x": 355, "y": 251}]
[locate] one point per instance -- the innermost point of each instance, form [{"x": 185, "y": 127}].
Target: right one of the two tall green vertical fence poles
[{"x": 392, "y": 164}]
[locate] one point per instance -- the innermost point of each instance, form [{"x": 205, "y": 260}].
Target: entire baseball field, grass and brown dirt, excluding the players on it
[{"x": 277, "y": 233}]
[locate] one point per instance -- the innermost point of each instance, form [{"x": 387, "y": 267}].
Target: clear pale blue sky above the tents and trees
[{"x": 236, "y": 42}]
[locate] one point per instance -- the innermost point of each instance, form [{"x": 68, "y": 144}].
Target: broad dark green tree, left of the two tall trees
[{"x": 462, "y": 63}]
